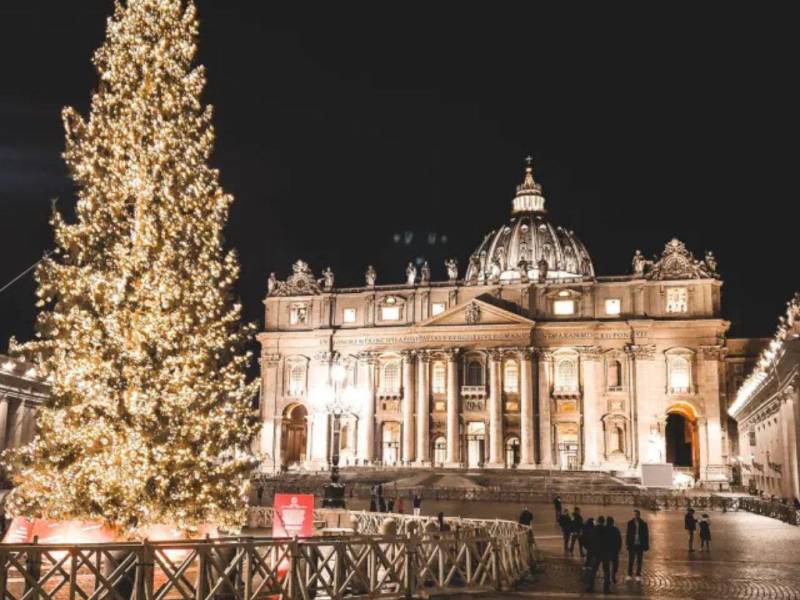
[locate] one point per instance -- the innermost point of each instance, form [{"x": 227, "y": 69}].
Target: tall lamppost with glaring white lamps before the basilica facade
[{"x": 336, "y": 398}]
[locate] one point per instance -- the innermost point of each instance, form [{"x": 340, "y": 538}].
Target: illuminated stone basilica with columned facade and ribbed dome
[{"x": 528, "y": 359}]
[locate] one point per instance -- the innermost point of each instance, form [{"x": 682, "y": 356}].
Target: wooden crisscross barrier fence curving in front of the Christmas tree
[{"x": 474, "y": 556}]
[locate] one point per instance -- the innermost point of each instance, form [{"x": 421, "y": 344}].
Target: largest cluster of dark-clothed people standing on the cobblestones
[{"x": 599, "y": 543}]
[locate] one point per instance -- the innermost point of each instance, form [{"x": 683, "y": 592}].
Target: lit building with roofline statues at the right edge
[{"x": 766, "y": 410}]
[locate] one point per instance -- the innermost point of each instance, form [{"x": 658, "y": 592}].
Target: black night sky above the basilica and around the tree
[{"x": 344, "y": 127}]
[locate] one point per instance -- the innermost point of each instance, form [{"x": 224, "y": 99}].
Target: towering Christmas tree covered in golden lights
[{"x": 150, "y": 420}]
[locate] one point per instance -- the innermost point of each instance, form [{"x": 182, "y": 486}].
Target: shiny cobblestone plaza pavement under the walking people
[{"x": 751, "y": 556}]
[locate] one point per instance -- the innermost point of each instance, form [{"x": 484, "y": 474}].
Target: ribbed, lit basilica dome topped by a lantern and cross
[{"x": 529, "y": 247}]
